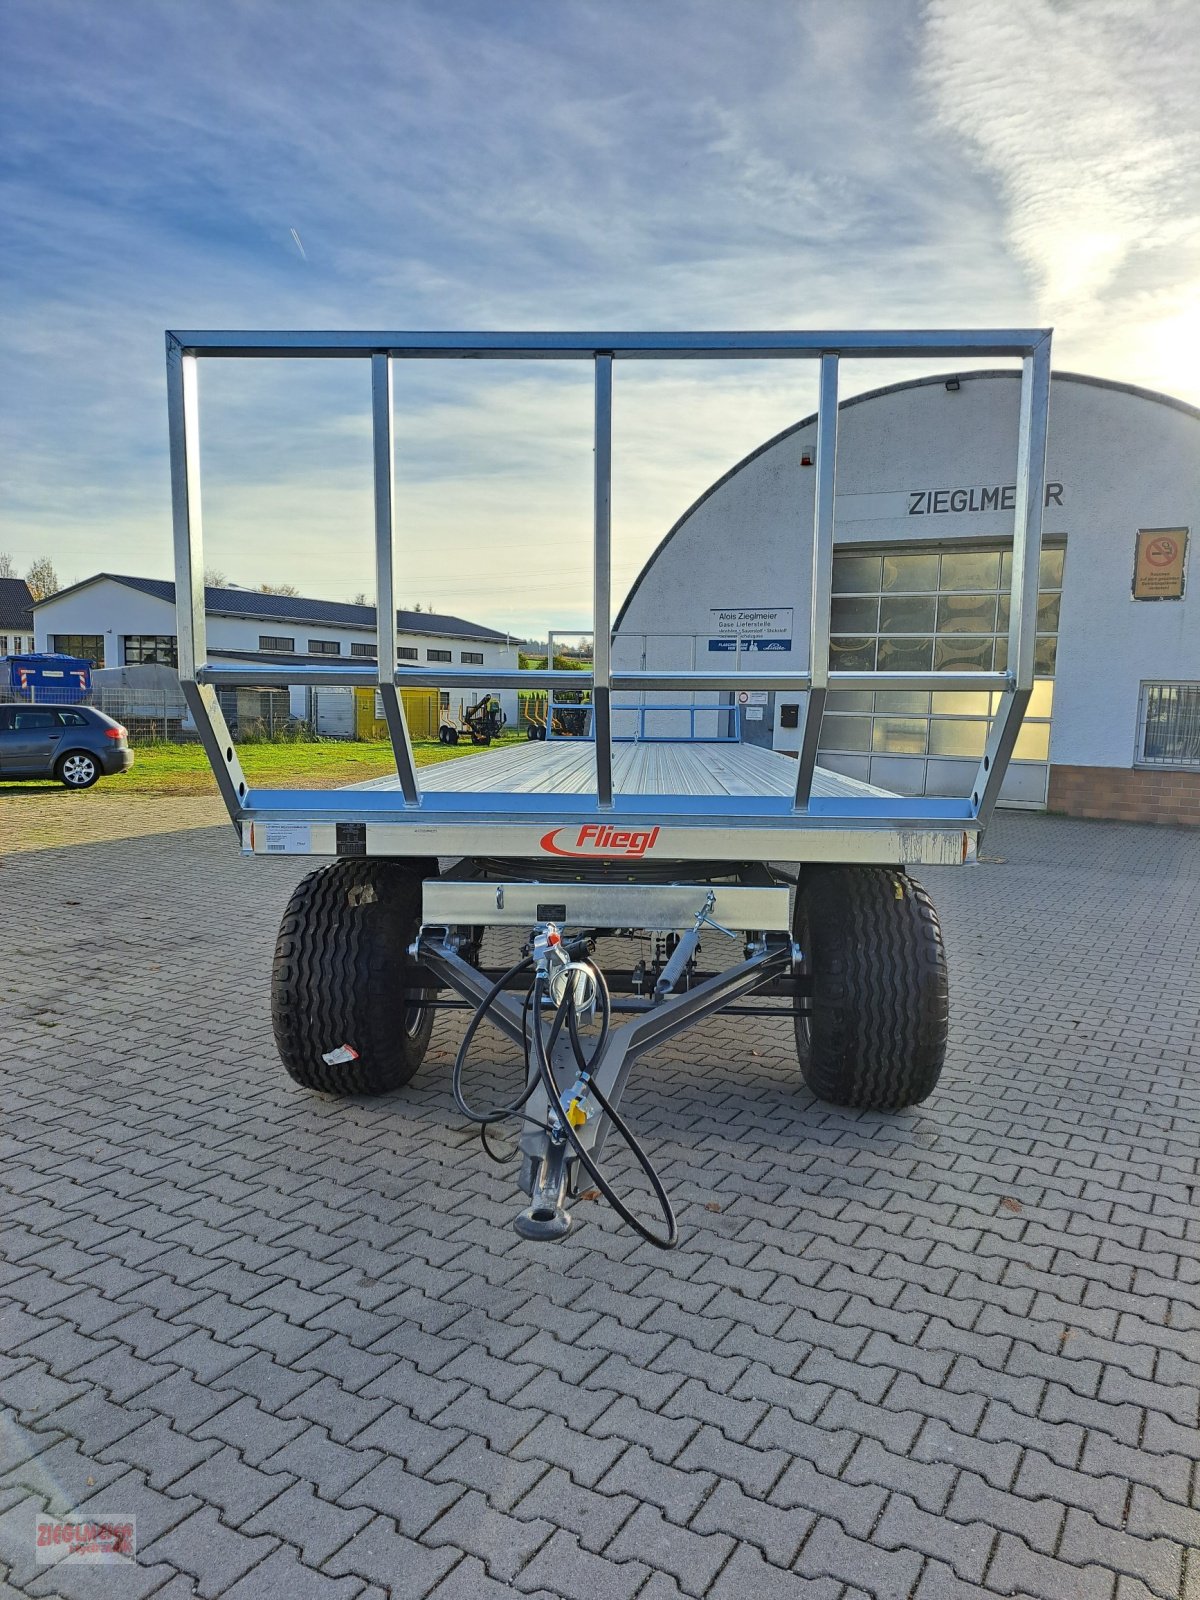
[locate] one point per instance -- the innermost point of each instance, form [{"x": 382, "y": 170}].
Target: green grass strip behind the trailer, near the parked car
[{"x": 327, "y": 764}]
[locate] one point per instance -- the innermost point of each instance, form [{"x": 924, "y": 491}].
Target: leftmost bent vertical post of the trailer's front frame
[{"x": 183, "y": 414}]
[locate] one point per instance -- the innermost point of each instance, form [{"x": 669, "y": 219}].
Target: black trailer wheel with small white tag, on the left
[{"x": 338, "y": 978}]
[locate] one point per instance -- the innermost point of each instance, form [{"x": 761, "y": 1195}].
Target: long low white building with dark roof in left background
[{"x": 121, "y": 622}]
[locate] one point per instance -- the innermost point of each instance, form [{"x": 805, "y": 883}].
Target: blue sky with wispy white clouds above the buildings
[{"x": 545, "y": 164}]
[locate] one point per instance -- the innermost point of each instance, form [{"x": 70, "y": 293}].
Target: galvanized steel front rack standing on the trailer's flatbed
[{"x": 201, "y": 678}]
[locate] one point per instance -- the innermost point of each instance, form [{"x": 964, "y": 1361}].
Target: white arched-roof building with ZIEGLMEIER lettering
[{"x": 924, "y": 521}]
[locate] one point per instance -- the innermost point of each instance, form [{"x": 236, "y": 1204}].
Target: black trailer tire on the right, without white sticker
[{"x": 873, "y": 946}]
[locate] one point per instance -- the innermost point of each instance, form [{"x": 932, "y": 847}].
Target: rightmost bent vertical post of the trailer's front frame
[{"x": 1031, "y": 495}]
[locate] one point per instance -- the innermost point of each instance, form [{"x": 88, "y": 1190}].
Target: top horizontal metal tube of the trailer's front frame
[{"x": 633, "y": 346}]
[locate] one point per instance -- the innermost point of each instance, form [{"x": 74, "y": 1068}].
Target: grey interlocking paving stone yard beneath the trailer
[{"x": 948, "y": 1353}]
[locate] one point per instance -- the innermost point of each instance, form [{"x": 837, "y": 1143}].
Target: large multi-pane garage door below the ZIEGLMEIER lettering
[{"x": 911, "y": 610}]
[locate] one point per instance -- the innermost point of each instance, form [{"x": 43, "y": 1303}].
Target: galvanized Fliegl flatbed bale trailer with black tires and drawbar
[{"x": 575, "y": 842}]
